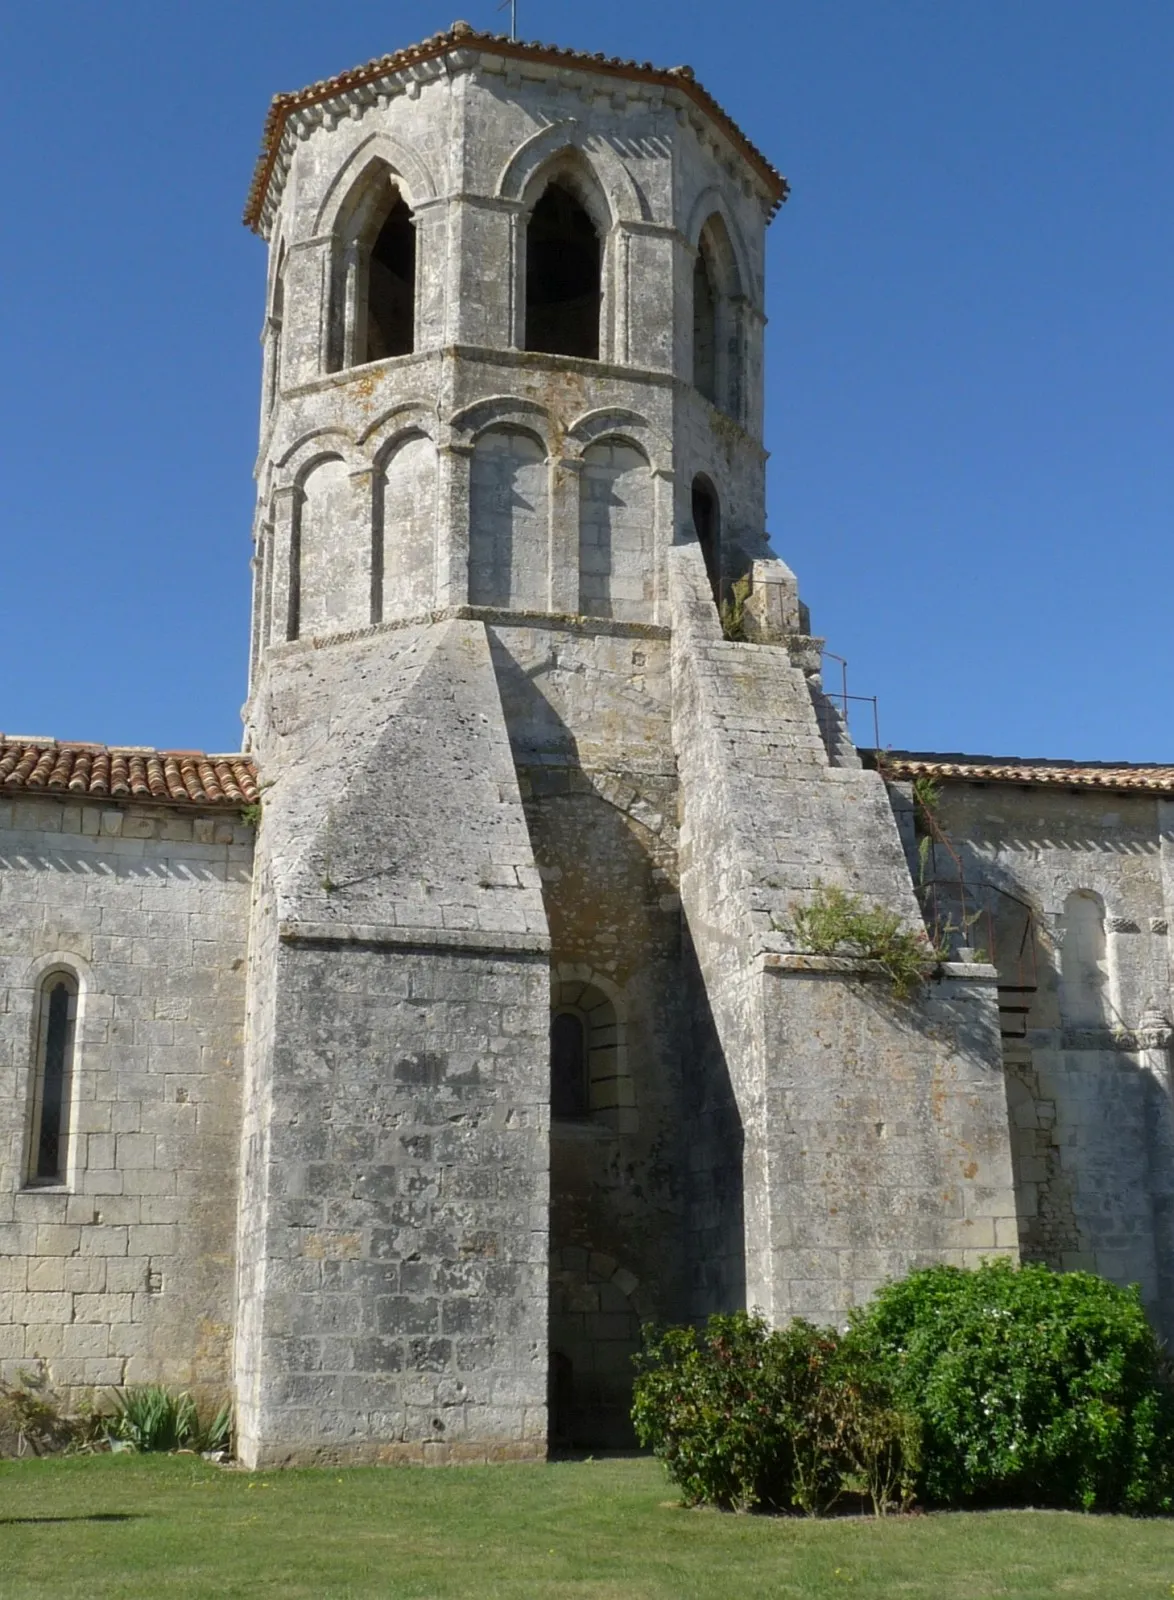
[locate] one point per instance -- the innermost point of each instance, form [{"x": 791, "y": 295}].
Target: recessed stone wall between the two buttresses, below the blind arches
[{"x": 589, "y": 730}]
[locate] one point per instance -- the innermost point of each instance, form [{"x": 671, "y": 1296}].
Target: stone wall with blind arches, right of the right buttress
[{"x": 1079, "y": 894}]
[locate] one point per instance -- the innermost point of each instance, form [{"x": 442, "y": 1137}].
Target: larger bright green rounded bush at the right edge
[{"x": 1032, "y": 1386}]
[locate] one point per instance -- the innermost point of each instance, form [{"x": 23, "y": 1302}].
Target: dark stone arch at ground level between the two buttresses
[{"x": 597, "y": 1310}]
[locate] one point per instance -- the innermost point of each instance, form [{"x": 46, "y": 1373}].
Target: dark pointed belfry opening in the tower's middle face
[{"x": 564, "y": 294}]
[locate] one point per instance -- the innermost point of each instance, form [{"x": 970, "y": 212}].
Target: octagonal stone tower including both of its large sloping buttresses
[{"x": 530, "y": 1052}]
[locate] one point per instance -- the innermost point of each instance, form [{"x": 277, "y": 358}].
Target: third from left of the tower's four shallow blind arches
[{"x": 509, "y": 522}]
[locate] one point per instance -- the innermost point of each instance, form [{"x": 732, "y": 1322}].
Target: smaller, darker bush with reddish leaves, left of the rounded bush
[{"x": 748, "y": 1417}]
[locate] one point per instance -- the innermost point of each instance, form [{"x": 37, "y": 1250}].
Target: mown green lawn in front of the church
[{"x": 110, "y": 1527}]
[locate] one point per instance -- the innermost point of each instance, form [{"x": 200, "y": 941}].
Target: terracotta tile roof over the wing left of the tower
[{"x": 102, "y": 772}]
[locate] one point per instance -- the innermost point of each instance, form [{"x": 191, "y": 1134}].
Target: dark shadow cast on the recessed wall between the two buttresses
[{"x": 618, "y": 1145}]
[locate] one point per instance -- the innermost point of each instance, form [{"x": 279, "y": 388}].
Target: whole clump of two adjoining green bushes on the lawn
[{"x": 997, "y": 1386}]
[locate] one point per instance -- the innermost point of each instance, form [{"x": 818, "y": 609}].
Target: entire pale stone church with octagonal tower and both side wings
[{"x": 391, "y": 1073}]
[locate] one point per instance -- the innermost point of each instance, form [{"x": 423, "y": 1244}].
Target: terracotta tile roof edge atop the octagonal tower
[{"x": 465, "y": 38}]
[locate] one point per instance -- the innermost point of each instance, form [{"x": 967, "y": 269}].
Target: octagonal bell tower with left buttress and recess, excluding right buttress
[{"x": 513, "y": 356}]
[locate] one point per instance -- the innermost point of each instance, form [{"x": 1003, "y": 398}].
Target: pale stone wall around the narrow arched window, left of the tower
[{"x": 124, "y": 1273}]
